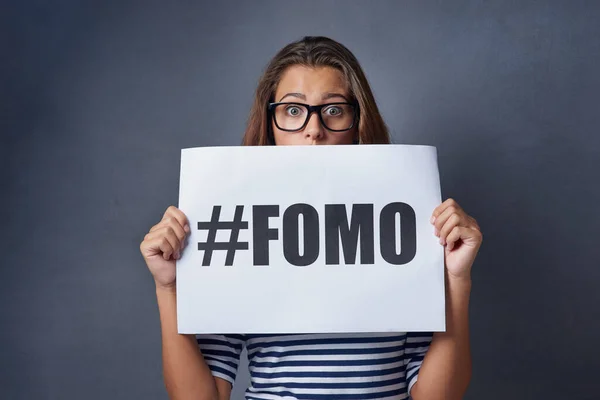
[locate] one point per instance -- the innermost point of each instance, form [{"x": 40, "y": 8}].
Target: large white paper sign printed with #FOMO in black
[{"x": 310, "y": 239}]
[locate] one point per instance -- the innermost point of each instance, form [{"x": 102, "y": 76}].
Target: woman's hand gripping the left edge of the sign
[{"x": 163, "y": 245}]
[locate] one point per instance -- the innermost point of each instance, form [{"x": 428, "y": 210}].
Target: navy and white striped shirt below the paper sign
[{"x": 320, "y": 366}]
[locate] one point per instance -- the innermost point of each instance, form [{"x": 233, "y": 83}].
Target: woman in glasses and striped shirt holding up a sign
[{"x": 315, "y": 92}]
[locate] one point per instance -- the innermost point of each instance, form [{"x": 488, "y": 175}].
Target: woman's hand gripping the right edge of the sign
[{"x": 459, "y": 233}]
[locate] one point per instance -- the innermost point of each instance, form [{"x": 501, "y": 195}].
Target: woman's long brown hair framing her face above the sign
[{"x": 315, "y": 51}]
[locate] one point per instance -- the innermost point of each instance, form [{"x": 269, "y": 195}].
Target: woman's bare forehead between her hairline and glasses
[{"x": 308, "y": 80}]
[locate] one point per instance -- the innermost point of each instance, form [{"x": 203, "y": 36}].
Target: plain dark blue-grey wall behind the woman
[{"x": 97, "y": 100}]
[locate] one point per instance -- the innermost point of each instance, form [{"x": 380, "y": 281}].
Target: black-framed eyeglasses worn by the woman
[{"x": 293, "y": 117}]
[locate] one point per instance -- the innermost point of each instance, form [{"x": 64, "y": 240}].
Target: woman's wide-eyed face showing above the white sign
[{"x": 312, "y": 86}]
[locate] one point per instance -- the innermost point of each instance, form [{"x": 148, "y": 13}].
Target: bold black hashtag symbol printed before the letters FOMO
[{"x": 215, "y": 225}]
